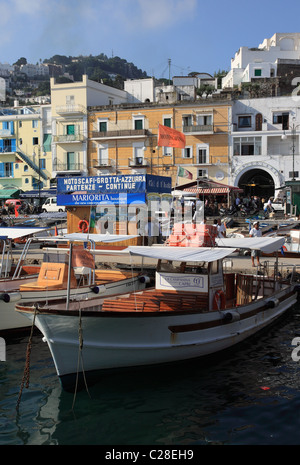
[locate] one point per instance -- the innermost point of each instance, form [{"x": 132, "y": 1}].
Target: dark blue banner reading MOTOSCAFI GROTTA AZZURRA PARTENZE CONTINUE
[{"x": 131, "y": 184}]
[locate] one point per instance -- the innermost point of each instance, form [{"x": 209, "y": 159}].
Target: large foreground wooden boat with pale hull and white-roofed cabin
[{"x": 195, "y": 309}]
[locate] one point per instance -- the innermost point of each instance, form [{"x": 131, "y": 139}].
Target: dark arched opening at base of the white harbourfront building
[{"x": 257, "y": 182}]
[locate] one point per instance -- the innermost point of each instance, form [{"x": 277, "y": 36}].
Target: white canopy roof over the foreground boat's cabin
[{"x": 182, "y": 254}]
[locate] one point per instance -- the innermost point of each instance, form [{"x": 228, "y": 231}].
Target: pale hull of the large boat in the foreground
[{"x": 130, "y": 339}]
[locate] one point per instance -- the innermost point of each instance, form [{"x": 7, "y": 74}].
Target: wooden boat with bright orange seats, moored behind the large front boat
[{"x": 59, "y": 277}]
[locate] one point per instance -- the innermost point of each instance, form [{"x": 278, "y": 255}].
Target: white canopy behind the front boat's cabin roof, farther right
[{"x": 264, "y": 244}]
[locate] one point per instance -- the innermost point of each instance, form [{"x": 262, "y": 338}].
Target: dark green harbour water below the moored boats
[{"x": 249, "y": 395}]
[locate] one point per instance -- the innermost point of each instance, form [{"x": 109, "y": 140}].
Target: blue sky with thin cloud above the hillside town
[{"x": 196, "y": 35}]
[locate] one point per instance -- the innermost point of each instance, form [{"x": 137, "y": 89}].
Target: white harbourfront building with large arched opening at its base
[{"x": 264, "y": 143}]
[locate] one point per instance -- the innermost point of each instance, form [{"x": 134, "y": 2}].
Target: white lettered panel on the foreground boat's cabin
[{"x": 181, "y": 282}]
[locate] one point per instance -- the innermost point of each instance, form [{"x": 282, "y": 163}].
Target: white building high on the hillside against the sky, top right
[{"x": 261, "y": 62}]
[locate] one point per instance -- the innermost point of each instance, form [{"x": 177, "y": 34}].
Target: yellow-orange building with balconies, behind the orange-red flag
[{"x": 123, "y": 139}]
